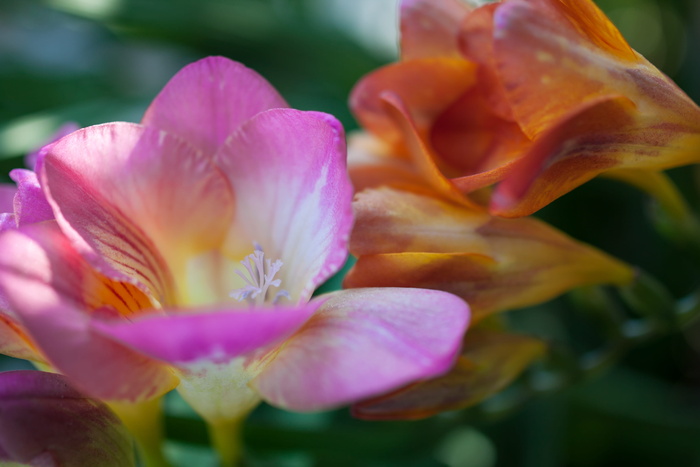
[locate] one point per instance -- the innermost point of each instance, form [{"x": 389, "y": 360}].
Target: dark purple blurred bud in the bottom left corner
[{"x": 45, "y": 422}]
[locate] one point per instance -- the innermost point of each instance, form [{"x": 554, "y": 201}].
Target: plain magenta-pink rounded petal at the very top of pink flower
[{"x": 205, "y": 102}]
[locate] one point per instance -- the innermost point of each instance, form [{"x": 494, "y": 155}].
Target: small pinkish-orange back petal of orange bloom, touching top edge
[{"x": 429, "y": 27}]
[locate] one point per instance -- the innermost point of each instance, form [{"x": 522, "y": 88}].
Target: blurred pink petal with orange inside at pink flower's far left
[{"x": 53, "y": 291}]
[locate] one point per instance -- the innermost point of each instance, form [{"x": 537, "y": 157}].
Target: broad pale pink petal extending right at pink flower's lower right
[{"x": 364, "y": 342}]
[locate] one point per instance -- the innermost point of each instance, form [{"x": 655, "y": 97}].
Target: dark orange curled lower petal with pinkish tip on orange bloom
[{"x": 606, "y": 133}]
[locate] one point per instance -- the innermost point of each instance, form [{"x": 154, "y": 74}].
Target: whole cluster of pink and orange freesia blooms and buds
[{"x": 183, "y": 252}]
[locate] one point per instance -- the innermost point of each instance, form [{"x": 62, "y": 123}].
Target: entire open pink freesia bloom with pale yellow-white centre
[{"x": 186, "y": 249}]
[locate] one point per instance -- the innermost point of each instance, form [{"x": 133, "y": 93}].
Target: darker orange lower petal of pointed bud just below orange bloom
[{"x": 487, "y": 284}]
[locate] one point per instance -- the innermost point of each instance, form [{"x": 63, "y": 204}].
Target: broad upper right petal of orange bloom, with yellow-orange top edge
[{"x": 553, "y": 58}]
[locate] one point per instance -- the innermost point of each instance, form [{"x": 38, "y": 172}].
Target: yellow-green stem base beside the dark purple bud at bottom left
[{"x": 145, "y": 422}]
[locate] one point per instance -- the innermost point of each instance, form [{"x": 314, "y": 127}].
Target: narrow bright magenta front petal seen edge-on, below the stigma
[{"x": 210, "y": 335}]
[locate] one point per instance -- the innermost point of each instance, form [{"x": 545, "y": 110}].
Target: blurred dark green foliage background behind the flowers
[{"x": 93, "y": 61}]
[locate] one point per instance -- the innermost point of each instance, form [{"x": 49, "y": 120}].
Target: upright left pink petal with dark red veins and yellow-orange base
[{"x": 136, "y": 202}]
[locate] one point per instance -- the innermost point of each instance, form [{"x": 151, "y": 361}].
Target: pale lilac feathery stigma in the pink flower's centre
[{"x": 259, "y": 276}]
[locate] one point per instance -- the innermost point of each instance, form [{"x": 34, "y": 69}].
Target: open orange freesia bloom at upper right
[{"x": 540, "y": 95}]
